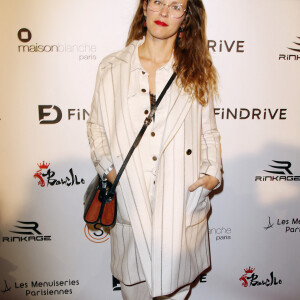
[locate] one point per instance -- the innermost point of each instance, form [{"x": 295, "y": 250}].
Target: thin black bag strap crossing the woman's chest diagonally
[{"x": 147, "y": 122}]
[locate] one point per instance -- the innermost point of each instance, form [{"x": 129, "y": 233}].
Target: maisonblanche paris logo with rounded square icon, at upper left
[{"x": 86, "y": 51}]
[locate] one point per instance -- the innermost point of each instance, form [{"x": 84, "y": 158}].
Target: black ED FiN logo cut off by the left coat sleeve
[{"x": 52, "y": 114}]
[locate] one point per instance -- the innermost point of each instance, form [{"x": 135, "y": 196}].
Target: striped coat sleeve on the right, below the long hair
[{"x": 210, "y": 144}]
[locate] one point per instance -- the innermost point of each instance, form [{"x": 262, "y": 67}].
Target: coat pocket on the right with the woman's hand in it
[{"x": 198, "y": 205}]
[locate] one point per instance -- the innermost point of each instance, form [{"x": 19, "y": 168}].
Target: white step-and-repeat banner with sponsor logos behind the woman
[{"x": 50, "y": 51}]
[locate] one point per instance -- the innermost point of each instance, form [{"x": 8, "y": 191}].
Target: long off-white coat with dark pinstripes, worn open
[{"x": 166, "y": 245}]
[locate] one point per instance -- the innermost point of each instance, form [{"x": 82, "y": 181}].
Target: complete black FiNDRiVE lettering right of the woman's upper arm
[{"x": 251, "y": 114}]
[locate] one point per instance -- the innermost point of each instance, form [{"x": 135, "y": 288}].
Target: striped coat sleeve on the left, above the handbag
[{"x": 100, "y": 152}]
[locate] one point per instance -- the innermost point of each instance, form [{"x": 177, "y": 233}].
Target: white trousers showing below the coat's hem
[{"x": 140, "y": 291}]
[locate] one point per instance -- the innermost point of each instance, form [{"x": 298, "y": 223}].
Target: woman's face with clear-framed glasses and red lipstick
[{"x": 160, "y": 24}]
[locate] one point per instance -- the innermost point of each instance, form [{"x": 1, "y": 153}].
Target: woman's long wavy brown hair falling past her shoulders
[{"x": 193, "y": 63}]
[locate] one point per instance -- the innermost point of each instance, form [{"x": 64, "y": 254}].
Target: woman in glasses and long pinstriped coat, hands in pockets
[{"x": 159, "y": 244}]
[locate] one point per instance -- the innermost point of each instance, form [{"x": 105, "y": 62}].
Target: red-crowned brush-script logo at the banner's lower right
[{"x": 251, "y": 279}]
